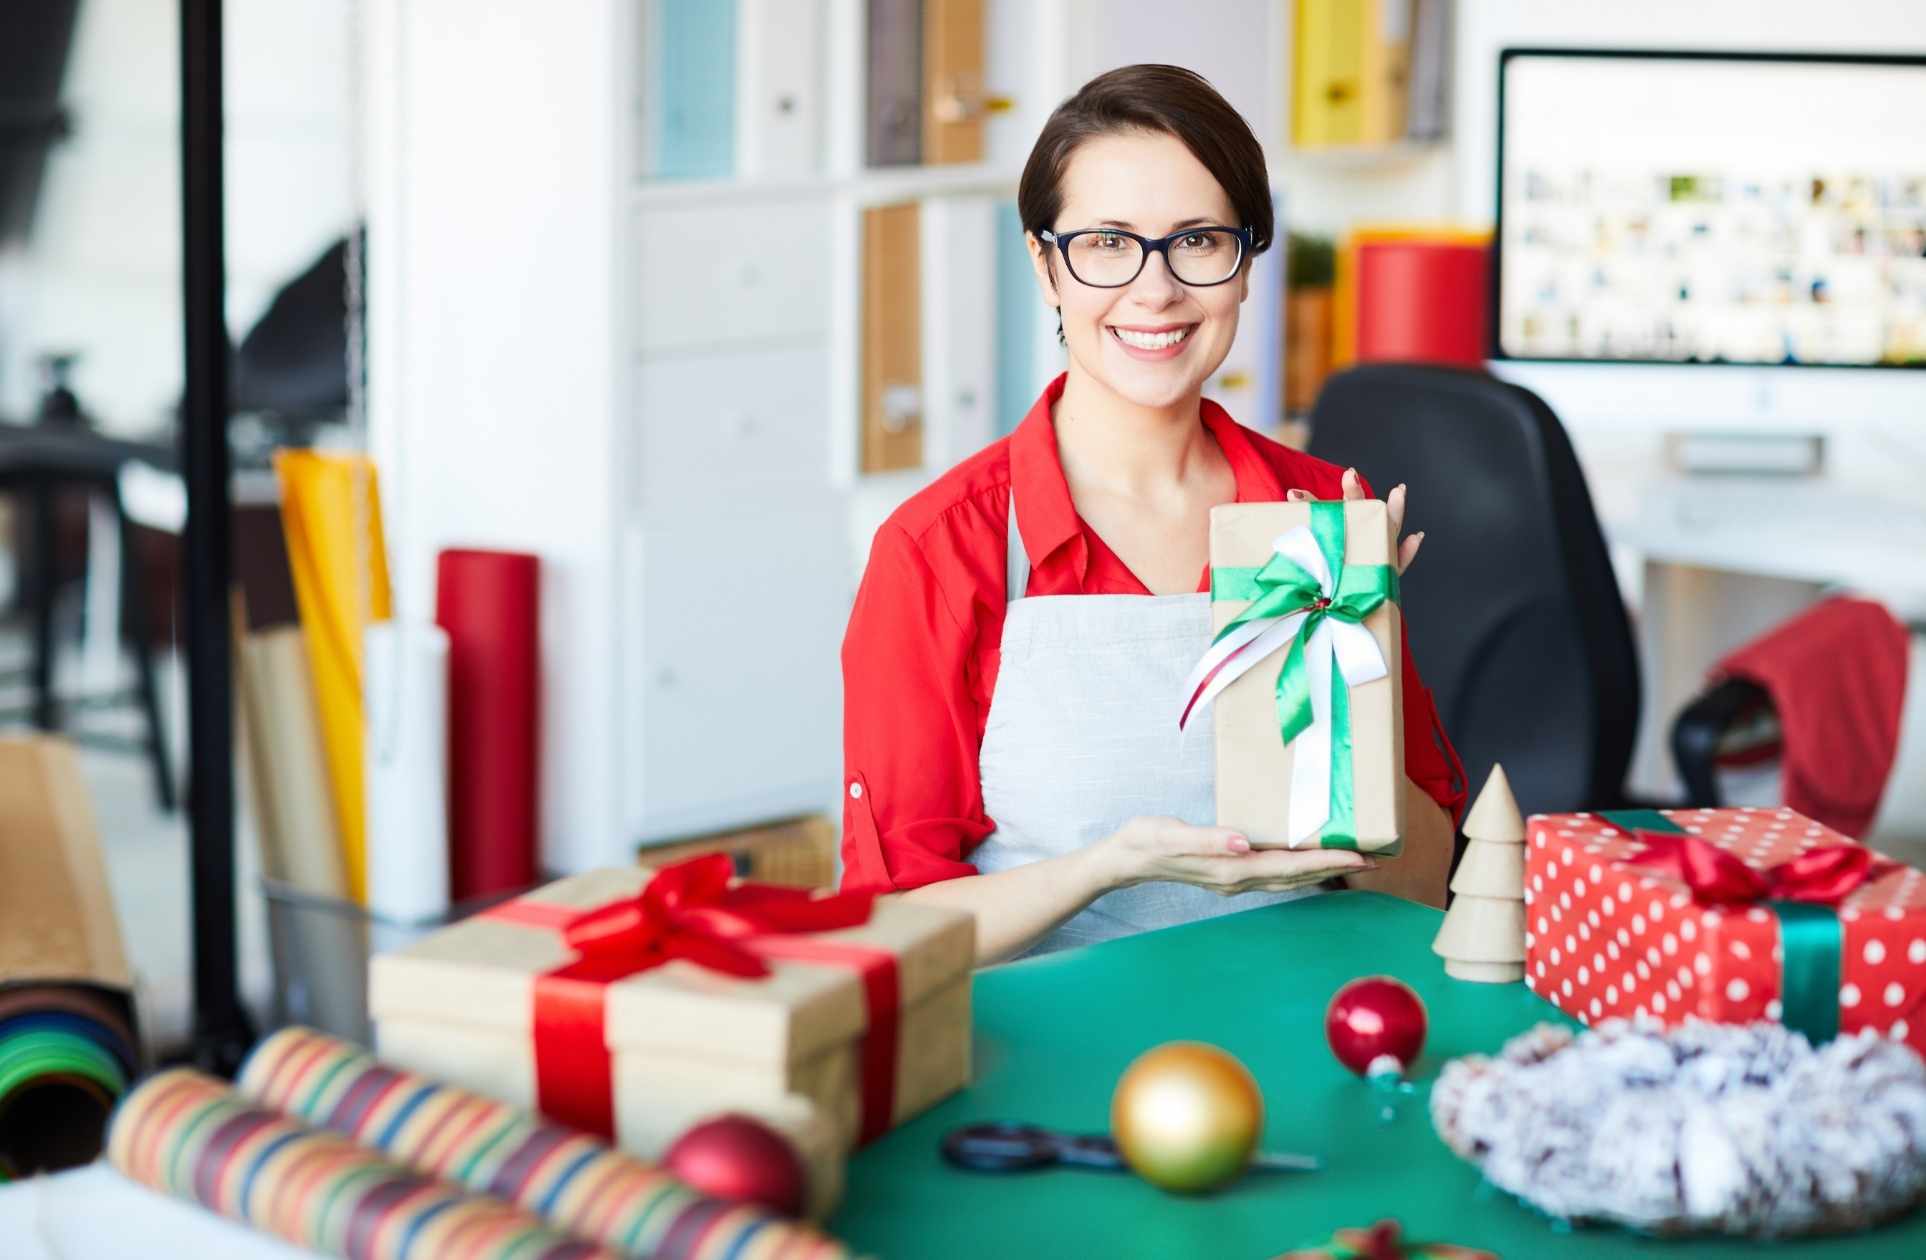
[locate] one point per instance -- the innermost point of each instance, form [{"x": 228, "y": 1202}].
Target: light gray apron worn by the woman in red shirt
[{"x": 1083, "y": 737}]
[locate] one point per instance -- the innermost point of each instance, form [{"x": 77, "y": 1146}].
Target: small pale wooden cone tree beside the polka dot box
[{"x": 1484, "y": 932}]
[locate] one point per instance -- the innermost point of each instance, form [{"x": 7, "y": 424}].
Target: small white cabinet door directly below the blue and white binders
[{"x": 731, "y": 429}]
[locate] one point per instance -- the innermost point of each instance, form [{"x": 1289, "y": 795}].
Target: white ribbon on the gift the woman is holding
[{"x": 1351, "y": 646}]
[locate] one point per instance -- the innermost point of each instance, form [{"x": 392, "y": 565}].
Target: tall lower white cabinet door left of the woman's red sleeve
[{"x": 733, "y": 666}]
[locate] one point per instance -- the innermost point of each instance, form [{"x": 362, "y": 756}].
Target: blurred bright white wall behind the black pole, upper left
[{"x": 103, "y": 271}]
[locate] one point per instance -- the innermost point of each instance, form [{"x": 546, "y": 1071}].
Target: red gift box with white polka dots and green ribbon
[{"x": 1725, "y": 914}]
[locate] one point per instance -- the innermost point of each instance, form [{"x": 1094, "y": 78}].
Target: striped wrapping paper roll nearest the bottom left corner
[{"x": 190, "y": 1136}]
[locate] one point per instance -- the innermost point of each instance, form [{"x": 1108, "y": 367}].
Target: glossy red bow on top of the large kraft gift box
[{"x": 690, "y": 910}]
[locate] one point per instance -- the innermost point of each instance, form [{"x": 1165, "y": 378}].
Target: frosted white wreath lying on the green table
[{"x": 1696, "y": 1130}]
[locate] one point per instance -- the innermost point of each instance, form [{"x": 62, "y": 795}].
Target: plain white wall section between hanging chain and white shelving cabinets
[{"x": 494, "y": 203}]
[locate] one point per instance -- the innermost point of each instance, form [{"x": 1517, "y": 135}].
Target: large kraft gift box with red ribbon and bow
[{"x": 633, "y": 1003}]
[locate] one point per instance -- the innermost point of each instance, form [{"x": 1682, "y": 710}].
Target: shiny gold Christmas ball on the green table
[{"x": 1187, "y": 1116}]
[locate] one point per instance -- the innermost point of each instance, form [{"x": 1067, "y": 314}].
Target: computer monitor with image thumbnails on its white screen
[{"x": 1711, "y": 238}]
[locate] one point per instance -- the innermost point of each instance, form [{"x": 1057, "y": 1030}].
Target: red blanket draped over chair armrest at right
[{"x": 1838, "y": 677}]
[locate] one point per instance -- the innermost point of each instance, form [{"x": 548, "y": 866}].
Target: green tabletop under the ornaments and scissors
[{"x": 1054, "y": 1034}]
